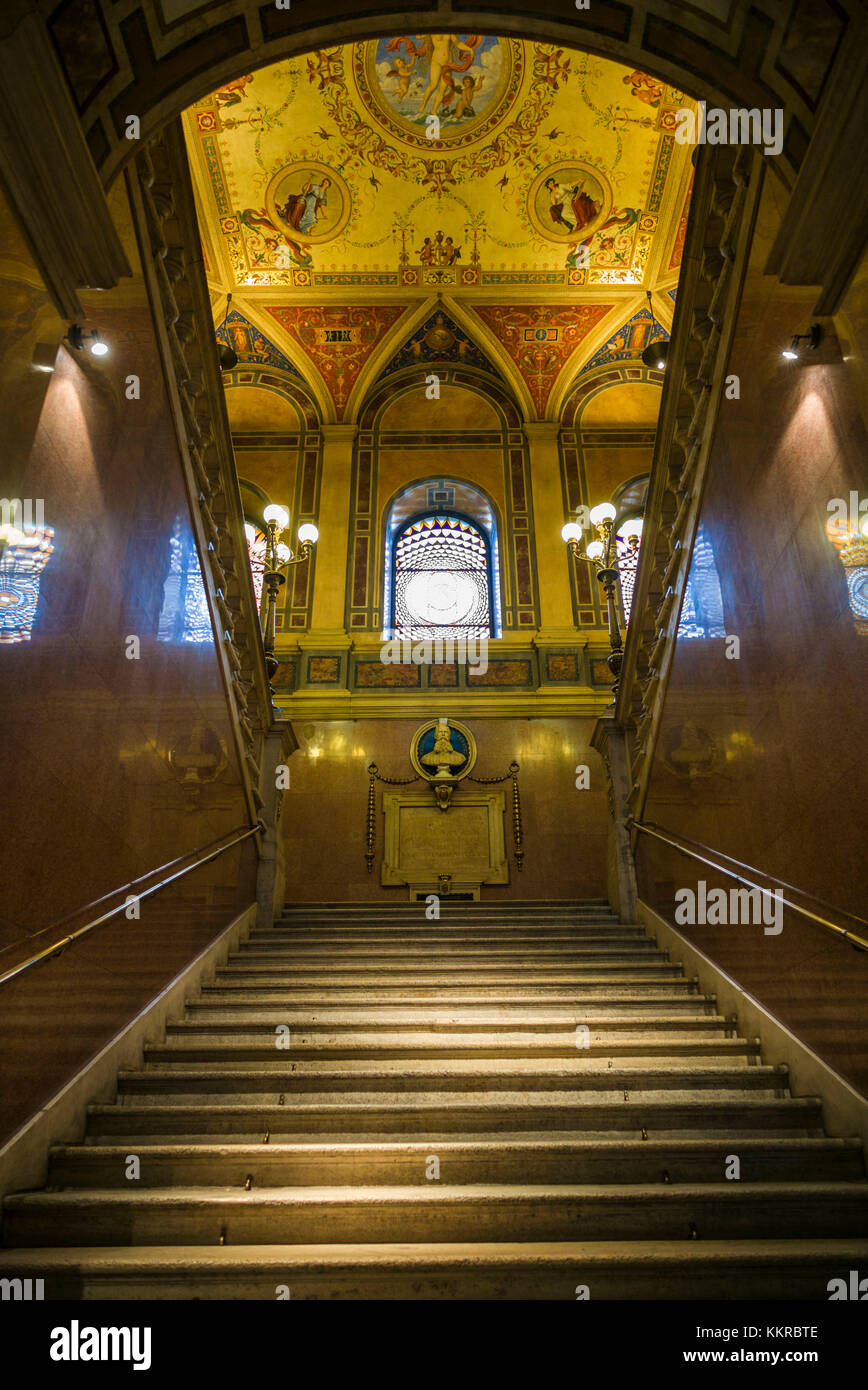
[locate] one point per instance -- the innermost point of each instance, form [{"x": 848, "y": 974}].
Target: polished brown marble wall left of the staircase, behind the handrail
[{"x": 90, "y": 797}]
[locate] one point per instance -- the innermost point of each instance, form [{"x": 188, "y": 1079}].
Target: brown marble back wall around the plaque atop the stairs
[{"x": 325, "y": 810}]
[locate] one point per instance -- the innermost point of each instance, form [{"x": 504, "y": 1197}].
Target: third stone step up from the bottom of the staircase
[{"x": 770, "y": 1159}]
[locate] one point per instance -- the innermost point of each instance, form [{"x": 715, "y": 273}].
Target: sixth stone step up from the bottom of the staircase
[{"x": 365, "y": 1047}]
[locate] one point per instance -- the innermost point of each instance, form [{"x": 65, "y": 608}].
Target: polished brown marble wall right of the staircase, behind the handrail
[{"x": 764, "y": 757}]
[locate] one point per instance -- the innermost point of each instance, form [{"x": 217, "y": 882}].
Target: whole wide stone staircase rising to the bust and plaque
[{"x": 508, "y": 1103}]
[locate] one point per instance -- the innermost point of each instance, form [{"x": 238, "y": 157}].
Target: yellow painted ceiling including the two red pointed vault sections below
[{"x": 533, "y": 194}]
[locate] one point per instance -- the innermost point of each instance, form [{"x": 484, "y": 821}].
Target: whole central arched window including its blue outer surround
[{"x": 442, "y": 565}]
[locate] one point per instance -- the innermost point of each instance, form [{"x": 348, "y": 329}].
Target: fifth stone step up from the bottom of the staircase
[{"x": 449, "y": 1077}]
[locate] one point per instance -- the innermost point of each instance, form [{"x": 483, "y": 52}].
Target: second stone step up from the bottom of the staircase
[{"x": 440, "y": 1213}]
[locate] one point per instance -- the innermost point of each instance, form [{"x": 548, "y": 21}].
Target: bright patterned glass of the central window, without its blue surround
[{"x": 442, "y": 580}]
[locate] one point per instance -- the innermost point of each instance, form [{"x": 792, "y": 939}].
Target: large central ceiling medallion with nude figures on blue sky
[{"x": 467, "y": 80}]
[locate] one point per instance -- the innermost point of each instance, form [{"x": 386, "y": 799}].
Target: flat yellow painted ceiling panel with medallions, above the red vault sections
[{"x": 545, "y": 169}]
